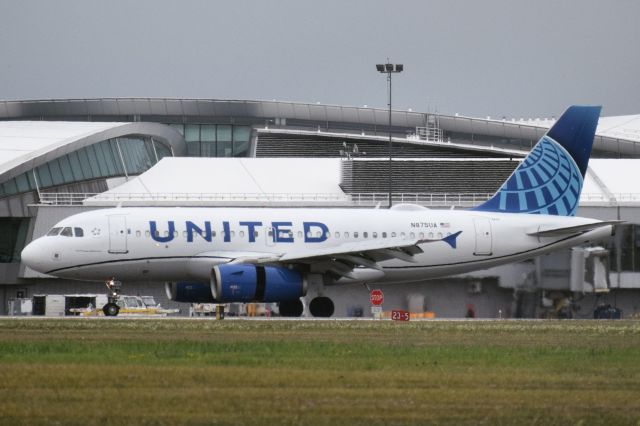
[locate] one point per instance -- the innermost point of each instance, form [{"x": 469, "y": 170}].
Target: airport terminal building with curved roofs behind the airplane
[{"x": 60, "y": 157}]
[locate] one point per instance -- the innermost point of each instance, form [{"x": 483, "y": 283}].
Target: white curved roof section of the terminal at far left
[{"x": 25, "y": 145}]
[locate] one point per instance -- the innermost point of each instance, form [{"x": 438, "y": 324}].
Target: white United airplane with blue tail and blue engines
[{"x": 289, "y": 255}]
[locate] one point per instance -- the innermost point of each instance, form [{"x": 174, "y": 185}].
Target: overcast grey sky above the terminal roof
[{"x": 482, "y": 58}]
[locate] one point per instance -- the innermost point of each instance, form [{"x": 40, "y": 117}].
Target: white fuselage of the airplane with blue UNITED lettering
[{"x": 172, "y": 244}]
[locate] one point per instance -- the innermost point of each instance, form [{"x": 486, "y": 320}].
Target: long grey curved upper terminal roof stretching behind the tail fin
[{"x": 615, "y": 134}]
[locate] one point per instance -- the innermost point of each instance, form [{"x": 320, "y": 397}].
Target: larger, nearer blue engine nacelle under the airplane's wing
[{"x": 251, "y": 283}]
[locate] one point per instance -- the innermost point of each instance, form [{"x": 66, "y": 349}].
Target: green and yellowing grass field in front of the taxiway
[{"x": 119, "y": 371}]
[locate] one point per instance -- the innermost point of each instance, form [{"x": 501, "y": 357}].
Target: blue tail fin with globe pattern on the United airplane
[{"x": 549, "y": 180}]
